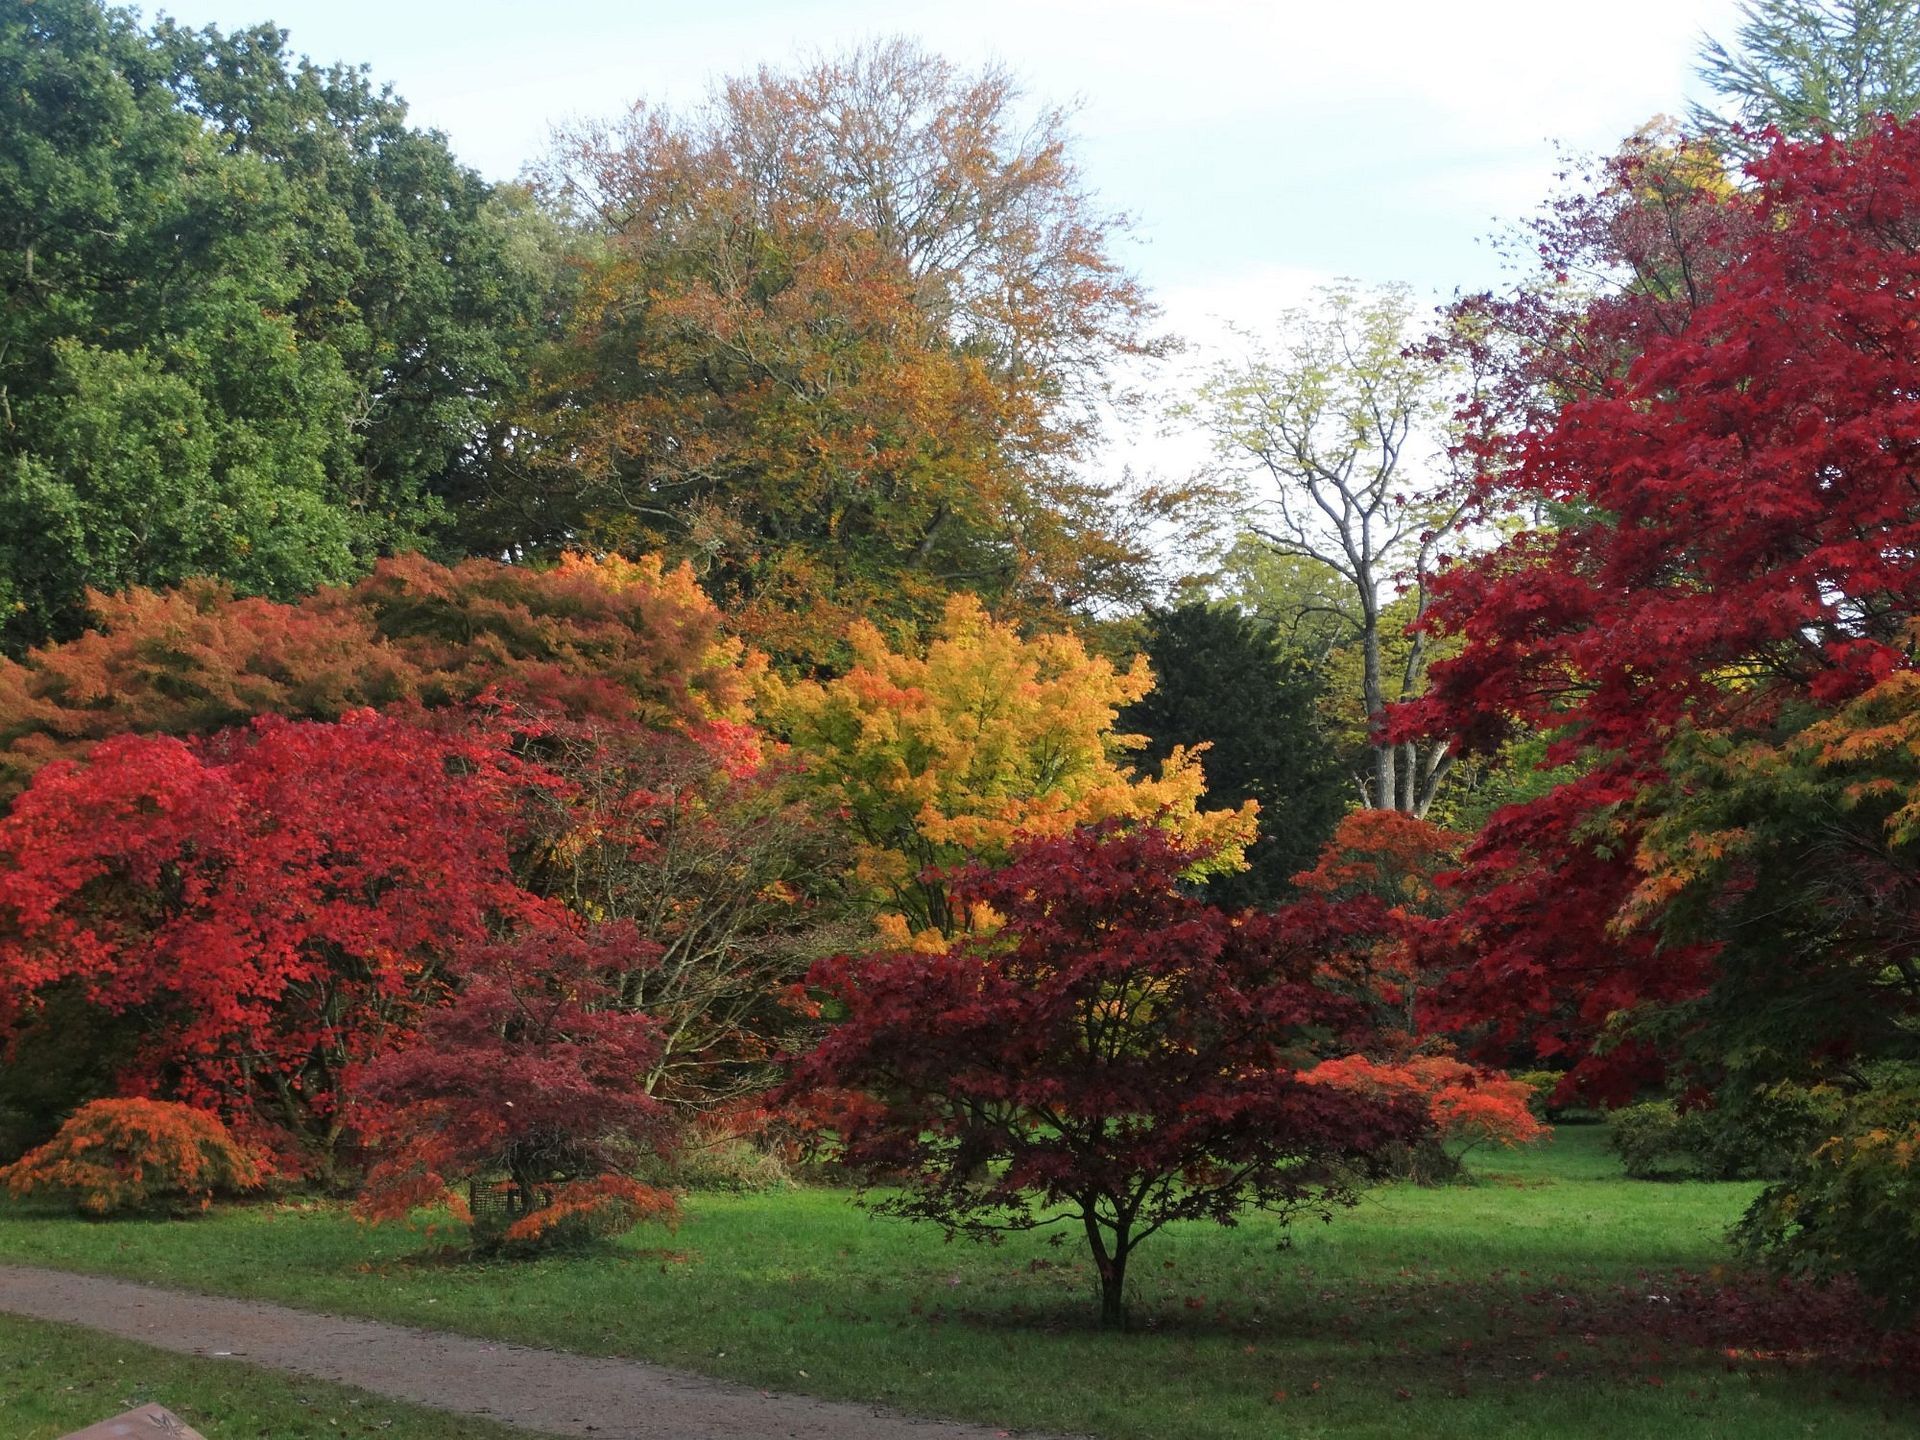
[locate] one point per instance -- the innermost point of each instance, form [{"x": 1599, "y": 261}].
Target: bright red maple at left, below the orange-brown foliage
[{"x": 276, "y": 903}]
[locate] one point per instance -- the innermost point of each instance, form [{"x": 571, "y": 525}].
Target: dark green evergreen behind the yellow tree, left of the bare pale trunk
[{"x": 1222, "y": 681}]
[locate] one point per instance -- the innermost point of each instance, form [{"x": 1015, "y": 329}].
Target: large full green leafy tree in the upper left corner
[{"x": 254, "y": 325}]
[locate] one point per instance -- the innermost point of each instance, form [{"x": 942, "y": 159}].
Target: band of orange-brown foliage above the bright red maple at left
[{"x": 588, "y": 640}]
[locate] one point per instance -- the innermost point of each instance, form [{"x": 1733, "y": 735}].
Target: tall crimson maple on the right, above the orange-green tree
[{"x": 1737, "y": 533}]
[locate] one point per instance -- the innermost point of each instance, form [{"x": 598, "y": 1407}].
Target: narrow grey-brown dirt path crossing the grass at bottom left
[{"x": 537, "y": 1389}]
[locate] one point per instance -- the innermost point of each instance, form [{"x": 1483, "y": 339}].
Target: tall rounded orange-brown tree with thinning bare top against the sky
[{"x": 842, "y": 345}]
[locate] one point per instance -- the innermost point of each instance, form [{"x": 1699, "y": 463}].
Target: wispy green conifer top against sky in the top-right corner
[{"x": 1812, "y": 68}]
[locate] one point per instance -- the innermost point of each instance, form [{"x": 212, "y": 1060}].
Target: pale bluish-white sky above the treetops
[{"x": 1260, "y": 149}]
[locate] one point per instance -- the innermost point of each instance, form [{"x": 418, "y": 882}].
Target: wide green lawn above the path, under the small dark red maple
[{"x": 1554, "y": 1299}]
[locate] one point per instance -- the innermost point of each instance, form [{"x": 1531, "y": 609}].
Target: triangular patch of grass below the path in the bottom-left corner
[{"x": 57, "y": 1380}]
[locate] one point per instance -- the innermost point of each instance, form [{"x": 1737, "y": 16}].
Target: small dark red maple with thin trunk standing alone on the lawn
[{"x": 1116, "y": 1057}]
